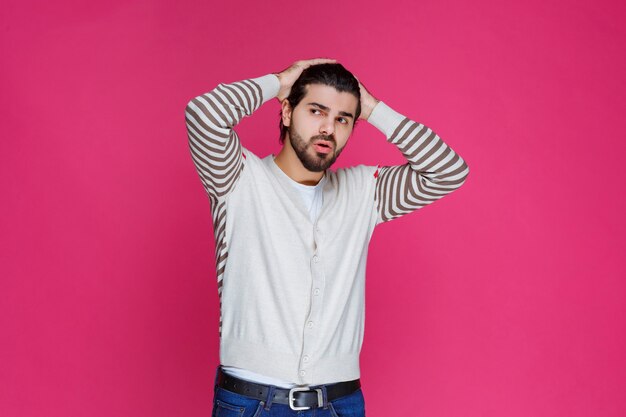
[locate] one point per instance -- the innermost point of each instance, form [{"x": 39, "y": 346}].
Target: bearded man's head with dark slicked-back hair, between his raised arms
[{"x": 319, "y": 114}]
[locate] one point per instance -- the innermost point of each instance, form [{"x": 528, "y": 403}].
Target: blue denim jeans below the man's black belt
[{"x": 230, "y": 404}]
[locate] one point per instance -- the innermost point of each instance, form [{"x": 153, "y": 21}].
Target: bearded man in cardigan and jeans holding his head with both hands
[{"x": 292, "y": 235}]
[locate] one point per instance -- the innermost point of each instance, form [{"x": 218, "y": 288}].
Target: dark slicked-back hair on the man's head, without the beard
[{"x": 332, "y": 75}]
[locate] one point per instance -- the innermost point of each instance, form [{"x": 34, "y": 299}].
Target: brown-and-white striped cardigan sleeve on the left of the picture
[{"x": 210, "y": 118}]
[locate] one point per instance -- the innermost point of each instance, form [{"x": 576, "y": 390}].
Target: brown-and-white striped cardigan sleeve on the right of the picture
[{"x": 433, "y": 170}]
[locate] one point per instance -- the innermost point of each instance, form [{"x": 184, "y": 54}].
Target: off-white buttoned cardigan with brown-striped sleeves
[{"x": 292, "y": 292}]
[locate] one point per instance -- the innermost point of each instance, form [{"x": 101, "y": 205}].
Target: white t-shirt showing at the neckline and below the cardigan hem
[{"x": 312, "y": 197}]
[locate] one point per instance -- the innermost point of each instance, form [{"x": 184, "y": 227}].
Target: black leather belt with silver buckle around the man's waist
[{"x": 298, "y": 398}]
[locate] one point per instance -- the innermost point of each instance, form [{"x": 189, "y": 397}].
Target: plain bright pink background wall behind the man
[{"x": 514, "y": 304}]
